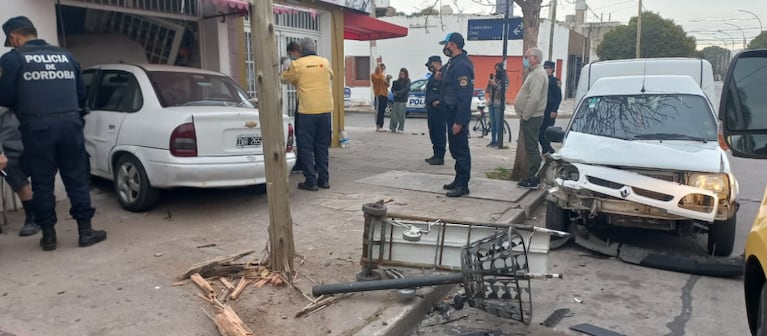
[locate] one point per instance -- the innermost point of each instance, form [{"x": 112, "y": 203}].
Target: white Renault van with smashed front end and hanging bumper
[{"x": 642, "y": 151}]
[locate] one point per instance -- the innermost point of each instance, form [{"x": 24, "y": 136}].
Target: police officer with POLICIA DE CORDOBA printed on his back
[{"x": 43, "y": 85}]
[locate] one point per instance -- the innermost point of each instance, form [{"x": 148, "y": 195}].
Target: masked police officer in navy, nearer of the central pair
[{"x": 457, "y": 91}]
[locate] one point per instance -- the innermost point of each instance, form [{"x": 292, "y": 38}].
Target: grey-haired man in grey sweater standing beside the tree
[{"x": 530, "y": 106}]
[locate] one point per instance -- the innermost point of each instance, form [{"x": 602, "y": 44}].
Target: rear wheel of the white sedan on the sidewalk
[{"x": 134, "y": 191}]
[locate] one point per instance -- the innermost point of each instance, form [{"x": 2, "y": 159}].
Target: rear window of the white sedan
[{"x": 194, "y": 89}]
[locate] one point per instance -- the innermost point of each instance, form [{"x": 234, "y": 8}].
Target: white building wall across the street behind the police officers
[{"x": 413, "y": 50}]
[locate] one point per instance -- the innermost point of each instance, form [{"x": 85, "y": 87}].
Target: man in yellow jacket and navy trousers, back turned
[{"x": 312, "y": 76}]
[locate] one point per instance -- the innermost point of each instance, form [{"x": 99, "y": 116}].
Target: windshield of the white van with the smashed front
[{"x": 647, "y": 117}]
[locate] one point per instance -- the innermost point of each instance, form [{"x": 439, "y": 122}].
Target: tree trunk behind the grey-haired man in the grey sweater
[{"x": 531, "y": 12}]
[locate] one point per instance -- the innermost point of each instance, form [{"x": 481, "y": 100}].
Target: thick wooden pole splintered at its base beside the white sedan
[{"x": 281, "y": 244}]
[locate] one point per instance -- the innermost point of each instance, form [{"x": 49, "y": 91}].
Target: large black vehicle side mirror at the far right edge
[{"x": 743, "y": 105}]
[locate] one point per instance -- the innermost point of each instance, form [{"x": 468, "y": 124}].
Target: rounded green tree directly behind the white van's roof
[{"x": 660, "y": 38}]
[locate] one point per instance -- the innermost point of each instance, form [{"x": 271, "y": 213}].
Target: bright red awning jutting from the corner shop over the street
[{"x": 361, "y": 27}]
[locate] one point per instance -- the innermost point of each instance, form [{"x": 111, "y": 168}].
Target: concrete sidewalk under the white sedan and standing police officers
[{"x": 122, "y": 286}]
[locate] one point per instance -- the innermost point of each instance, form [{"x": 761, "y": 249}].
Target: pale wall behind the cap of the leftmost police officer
[{"x": 41, "y": 12}]
